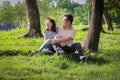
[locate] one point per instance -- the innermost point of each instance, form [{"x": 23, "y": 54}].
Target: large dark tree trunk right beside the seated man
[{"x": 92, "y": 40}]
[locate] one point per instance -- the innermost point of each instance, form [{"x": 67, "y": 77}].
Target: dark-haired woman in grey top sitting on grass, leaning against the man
[{"x": 49, "y": 34}]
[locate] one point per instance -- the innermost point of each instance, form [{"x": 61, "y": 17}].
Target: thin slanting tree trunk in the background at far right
[{"x": 107, "y": 19}]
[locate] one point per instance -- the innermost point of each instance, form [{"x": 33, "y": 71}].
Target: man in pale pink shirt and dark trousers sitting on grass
[{"x": 66, "y": 32}]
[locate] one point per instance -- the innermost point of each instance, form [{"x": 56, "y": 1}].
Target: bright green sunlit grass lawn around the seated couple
[{"x": 17, "y": 62}]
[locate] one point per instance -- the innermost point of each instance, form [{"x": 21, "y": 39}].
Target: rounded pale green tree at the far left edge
[{"x": 7, "y": 13}]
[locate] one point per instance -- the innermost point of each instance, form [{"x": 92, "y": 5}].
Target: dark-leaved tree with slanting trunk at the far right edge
[{"x": 111, "y": 12}]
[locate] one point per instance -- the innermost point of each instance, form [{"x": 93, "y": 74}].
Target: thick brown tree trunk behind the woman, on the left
[{"x": 33, "y": 19}]
